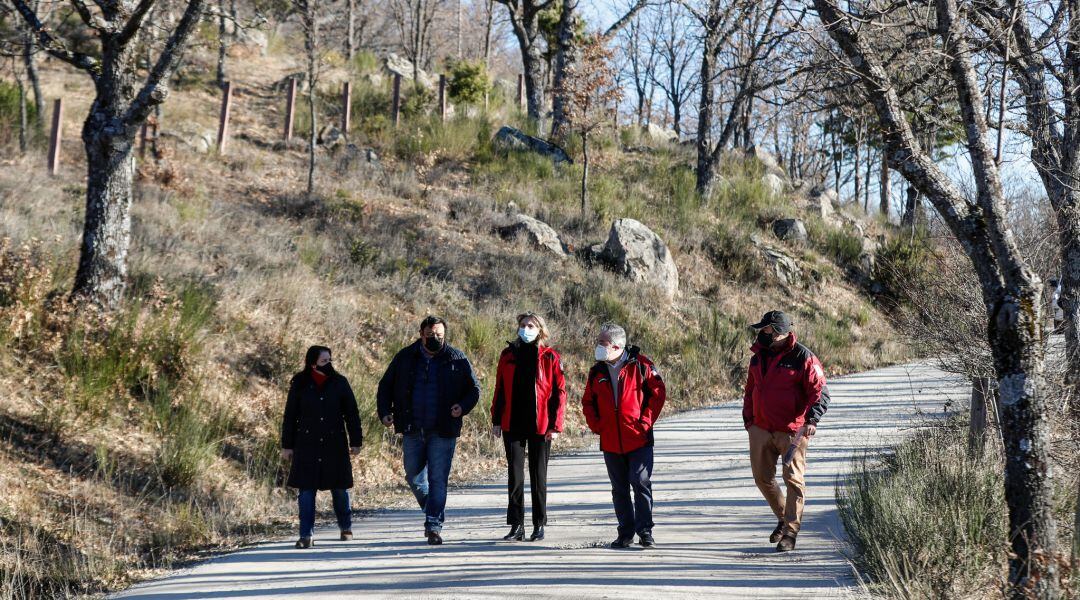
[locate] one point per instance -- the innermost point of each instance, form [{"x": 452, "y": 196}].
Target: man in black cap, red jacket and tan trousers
[{"x": 785, "y": 399}]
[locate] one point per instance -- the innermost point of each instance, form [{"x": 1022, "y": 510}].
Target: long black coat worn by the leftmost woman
[{"x": 319, "y": 428}]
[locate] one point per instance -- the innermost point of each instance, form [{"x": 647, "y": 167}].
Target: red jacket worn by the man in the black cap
[{"x": 788, "y": 392}]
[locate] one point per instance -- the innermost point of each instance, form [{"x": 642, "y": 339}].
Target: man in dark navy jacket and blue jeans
[{"x": 427, "y": 390}]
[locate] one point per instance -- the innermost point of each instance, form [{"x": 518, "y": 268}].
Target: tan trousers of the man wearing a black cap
[{"x": 766, "y": 448}]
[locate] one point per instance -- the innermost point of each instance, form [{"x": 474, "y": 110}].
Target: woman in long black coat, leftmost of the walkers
[{"x": 319, "y": 413}]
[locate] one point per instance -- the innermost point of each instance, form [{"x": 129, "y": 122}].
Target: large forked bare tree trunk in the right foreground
[{"x": 1010, "y": 291}]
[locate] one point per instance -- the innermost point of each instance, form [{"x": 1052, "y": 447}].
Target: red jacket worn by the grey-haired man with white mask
[{"x": 627, "y": 425}]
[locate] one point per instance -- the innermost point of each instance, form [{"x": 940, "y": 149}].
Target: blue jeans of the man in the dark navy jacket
[{"x": 428, "y": 461}]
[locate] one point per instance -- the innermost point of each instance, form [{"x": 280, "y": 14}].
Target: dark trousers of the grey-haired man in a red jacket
[{"x": 632, "y": 471}]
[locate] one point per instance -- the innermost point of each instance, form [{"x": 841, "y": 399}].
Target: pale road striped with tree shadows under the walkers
[{"x": 712, "y": 525}]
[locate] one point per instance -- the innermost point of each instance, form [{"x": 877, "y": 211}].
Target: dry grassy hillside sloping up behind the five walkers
[{"x": 235, "y": 274}]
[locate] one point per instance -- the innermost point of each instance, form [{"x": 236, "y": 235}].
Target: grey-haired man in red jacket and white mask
[{"x": 623, "y": 401}]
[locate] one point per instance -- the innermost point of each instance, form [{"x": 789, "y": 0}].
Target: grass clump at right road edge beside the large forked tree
[{"x": 929, "y": 521}]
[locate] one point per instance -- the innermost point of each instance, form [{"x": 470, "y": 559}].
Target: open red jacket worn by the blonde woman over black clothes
[{"x": 551, "y": 391}]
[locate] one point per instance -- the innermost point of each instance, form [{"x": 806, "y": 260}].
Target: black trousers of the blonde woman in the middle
[{"x": 539, "y": 449}]
